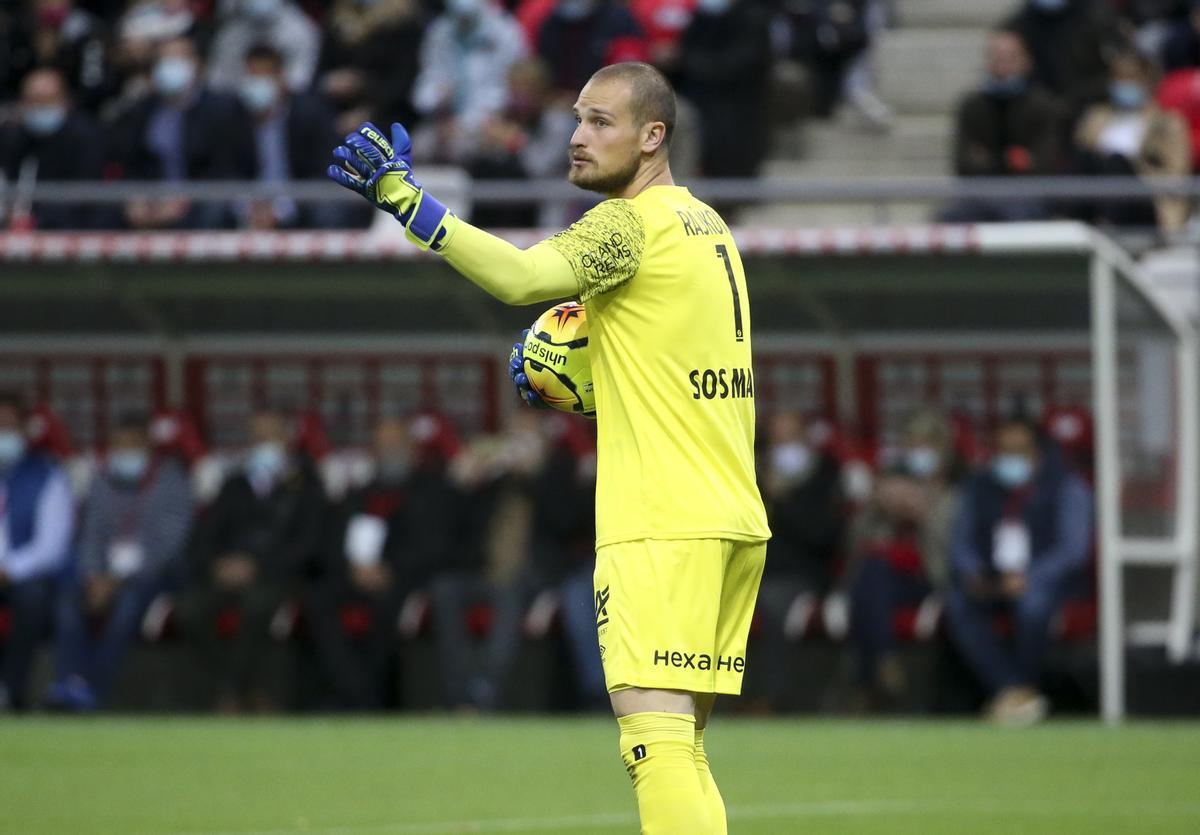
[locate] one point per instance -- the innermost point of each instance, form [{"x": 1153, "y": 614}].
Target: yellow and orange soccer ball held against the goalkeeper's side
[{"x": 556, "y": 361}]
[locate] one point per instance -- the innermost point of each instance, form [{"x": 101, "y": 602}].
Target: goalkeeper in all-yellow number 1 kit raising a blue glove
[{"x": 681, "y": 528}]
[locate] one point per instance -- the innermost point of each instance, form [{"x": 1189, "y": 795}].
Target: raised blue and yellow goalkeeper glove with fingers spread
[{"x": 381, "y": 172}]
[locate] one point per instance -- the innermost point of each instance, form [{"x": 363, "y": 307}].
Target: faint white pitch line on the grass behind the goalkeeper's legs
[{"x": 598, "y": 820}]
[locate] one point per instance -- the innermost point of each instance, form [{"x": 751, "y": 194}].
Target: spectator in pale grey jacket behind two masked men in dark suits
[{"x": 280, "y": 23}]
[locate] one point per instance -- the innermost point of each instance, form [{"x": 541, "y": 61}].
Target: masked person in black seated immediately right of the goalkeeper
[{"x": 808, "y": 520}]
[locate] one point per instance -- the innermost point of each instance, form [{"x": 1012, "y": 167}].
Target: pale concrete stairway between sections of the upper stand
[{"x": 925, "y": 64}]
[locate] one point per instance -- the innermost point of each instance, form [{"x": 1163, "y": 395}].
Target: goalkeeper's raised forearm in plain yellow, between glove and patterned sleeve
[{"x": 514, "y": 277}]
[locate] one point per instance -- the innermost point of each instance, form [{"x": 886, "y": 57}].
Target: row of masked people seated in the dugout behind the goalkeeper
[{"x": 487, "y": 543}]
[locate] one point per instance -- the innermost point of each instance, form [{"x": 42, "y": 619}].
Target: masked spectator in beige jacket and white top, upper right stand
[{"x": 1131, "y": 136}]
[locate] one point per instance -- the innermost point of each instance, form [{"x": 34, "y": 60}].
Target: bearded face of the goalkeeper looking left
[{"x": 607, "y": 148}]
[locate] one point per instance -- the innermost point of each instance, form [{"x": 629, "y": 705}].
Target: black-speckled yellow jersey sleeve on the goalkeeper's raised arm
[{"x": 604, "y": 248}]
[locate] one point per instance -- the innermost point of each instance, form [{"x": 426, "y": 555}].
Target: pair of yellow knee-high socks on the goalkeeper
[{"x": 659, "y": 750}]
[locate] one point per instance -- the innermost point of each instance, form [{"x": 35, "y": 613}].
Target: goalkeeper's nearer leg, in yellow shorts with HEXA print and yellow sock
[{"x": 657, "y": 641}]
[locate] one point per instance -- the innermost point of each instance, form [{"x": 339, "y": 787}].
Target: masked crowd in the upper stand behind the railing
[{"x": 182, "y": 91}]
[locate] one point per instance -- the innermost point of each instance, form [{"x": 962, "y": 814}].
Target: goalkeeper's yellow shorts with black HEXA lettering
[{"x": 675, "y": 615}]
